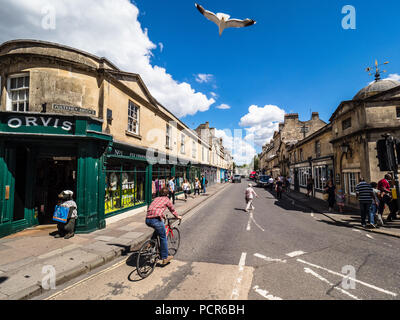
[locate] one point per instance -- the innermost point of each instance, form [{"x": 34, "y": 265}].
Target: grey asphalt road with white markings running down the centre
[{"x": 279, "y": 251}]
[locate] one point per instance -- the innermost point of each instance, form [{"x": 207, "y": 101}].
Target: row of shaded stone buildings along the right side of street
[{"x": 343, "y": 150}]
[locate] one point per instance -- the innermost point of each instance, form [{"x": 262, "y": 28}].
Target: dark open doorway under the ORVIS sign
[{"x": 53, "y": 175}]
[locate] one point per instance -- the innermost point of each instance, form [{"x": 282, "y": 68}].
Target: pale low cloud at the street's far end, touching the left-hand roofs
[{"x": 242, "y": 151}]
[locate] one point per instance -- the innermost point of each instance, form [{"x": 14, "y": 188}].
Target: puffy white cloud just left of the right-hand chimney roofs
[{"x": 261, "y": 122}]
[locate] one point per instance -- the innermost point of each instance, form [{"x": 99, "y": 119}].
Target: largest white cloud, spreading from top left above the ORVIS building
[{"x": 104, "y": 28}]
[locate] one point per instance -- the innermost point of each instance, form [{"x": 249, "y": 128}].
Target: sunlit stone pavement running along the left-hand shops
[{"x": 30, "y": 257}]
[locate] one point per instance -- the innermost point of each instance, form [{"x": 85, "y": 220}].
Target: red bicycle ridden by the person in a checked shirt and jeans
[{"x": 149, "y": 253}]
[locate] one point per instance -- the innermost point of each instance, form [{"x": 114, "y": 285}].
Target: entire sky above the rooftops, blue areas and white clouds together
[{"x": 296, "y": 59}]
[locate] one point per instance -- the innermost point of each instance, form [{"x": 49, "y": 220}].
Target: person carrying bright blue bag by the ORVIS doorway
[{"x": 67, "y": 229}]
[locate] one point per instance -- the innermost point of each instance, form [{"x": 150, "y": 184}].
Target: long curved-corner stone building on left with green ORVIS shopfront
[{"x": 72, "y": 120}]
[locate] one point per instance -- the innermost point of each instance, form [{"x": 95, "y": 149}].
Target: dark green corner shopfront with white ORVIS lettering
[{"x": 44, "y": 154}]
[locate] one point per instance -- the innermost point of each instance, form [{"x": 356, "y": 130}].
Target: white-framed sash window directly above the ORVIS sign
[{"x": 18, "y": 93}]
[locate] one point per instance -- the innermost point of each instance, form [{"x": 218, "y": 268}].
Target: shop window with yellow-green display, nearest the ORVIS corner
[{"x": 125, "y": 187}]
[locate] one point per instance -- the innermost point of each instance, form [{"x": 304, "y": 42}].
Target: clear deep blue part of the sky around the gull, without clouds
[{"x": 297, "y": 56}]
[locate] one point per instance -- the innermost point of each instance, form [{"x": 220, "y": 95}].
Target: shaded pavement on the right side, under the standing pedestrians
[{"x": 350, "y": 217}]
